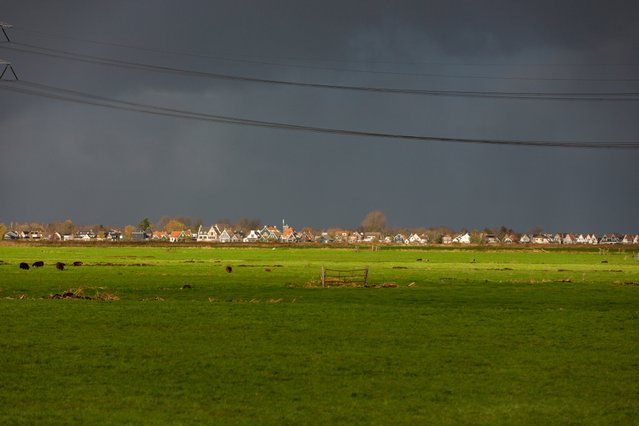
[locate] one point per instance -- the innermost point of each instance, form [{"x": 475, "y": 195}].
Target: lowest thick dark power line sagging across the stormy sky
[{"x": 61, "y": 94}]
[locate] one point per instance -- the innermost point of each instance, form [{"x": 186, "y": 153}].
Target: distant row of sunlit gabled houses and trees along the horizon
[{"x": 372, "y": 229}]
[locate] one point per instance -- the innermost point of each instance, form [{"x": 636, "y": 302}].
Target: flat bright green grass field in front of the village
[{"x": 466, "y": 337}]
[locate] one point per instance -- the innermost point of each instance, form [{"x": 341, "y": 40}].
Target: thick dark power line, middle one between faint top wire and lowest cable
[{"x": 556, "y": 96}]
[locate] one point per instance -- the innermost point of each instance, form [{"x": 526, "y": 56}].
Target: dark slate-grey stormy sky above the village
[{"x": 61, "y": 160}]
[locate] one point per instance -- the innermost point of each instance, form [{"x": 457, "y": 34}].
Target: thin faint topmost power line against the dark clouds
[{"x": 324, "y": 68}]
